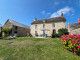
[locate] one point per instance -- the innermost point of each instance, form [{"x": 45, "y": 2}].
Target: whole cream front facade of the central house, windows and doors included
[{"x": 46, "y": 27}]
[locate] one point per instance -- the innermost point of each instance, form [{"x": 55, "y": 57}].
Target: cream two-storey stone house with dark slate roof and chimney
[{"x": 46, "y": 27}]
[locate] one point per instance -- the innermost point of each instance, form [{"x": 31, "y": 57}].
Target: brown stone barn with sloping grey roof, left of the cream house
[{"x": 17, "y": 28}]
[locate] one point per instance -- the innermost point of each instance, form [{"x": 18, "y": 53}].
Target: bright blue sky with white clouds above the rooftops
[{"x": 25, "y": 11}]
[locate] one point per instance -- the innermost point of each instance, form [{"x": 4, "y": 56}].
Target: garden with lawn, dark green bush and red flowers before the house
[{"x": 67, "y": 47}]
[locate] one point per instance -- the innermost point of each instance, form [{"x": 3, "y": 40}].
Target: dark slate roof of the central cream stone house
[{"x": 55, "y": 19}]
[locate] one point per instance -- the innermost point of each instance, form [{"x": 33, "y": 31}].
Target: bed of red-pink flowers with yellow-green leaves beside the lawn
[{"x": 72, "y": 42}]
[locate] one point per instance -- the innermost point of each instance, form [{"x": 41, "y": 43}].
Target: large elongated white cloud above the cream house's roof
[{"x": 64, "y": 10}]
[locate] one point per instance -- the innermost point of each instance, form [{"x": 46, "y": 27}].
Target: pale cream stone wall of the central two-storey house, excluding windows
[{"x": 48, "y": 28}]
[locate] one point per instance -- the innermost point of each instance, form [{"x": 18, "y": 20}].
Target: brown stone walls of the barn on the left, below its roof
[{"x": 21, "y": 31}]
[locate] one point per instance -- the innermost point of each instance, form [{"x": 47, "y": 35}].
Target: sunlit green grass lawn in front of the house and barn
[{"x": 24, "y": 48}]
